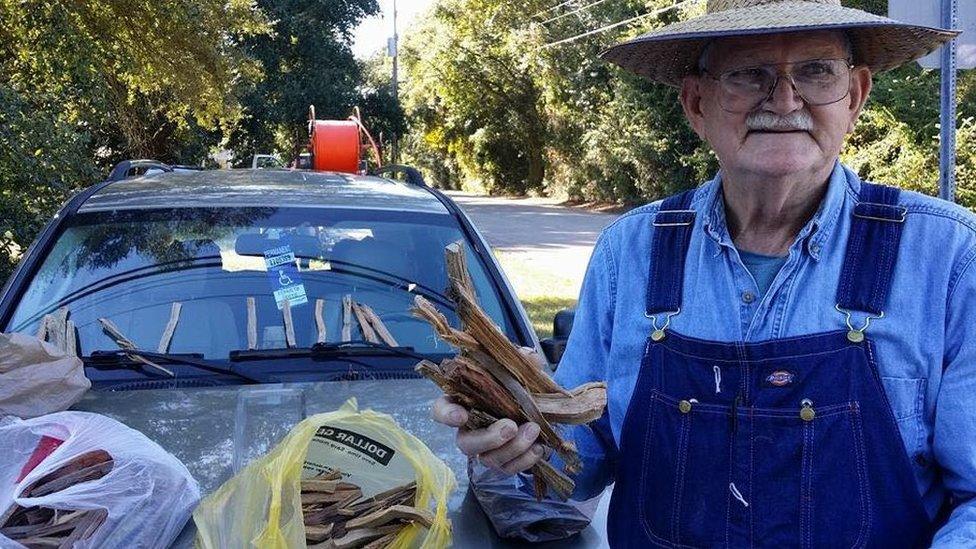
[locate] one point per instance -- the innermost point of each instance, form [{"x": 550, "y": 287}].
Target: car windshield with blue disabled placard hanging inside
[{"x": 232, "y": 270}]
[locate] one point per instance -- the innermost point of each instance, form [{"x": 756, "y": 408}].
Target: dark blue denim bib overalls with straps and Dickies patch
[{"x": 781, "y": 443}]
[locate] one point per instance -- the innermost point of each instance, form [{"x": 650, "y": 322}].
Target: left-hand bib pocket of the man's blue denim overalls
[{"x": 682, "y": 494}]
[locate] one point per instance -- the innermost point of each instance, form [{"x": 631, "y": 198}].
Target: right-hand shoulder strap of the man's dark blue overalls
[{"x": 872, "y": 250}]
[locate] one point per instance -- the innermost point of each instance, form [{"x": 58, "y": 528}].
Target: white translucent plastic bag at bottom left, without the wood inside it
[{"x": 148, "y": 494}]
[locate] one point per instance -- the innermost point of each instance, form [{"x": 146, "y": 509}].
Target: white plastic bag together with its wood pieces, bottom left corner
[{"x": 76, "y": 479}]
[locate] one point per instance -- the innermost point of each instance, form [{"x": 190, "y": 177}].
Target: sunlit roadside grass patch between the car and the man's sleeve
[{"x": 541, "y": 292}]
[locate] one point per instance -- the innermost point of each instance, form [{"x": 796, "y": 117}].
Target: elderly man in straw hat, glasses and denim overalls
[{"x": 790, "y": 351}]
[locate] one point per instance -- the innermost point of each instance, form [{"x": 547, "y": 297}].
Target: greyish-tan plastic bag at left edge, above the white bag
[{"x": 37, "y": 378}]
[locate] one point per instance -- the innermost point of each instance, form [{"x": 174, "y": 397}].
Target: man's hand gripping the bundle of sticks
[{"x": 503, "y": 446}]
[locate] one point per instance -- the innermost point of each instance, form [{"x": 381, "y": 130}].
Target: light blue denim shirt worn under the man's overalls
[{"x": 926, "y": 343}]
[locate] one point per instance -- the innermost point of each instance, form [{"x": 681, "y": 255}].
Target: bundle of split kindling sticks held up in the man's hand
[{"x": 495, "y": 379}]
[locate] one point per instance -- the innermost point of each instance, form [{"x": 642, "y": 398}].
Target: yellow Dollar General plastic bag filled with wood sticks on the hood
[{"x": 343, "y": 479}]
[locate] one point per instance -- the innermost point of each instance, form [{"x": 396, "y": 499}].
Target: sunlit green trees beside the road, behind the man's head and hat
[{"x": 607, "y": 135}]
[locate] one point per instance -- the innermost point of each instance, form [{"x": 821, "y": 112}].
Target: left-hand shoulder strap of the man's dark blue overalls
[{"x": 673, "y": 224}]
